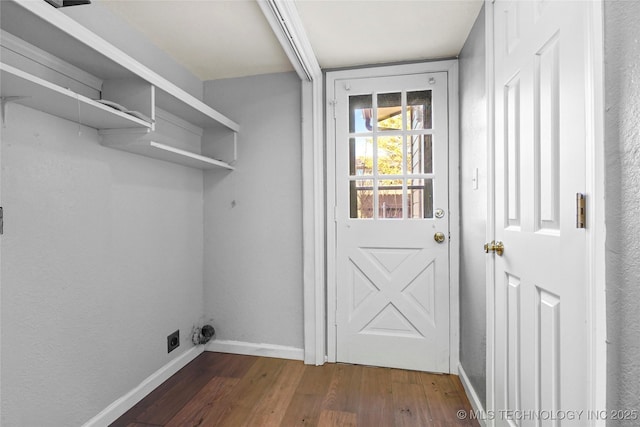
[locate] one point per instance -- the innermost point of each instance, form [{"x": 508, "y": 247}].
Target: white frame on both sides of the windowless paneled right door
[{"x": 595, "y": 174}]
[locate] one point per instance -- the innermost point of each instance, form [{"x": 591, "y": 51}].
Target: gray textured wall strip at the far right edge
[{"x": 622, "y": 136}]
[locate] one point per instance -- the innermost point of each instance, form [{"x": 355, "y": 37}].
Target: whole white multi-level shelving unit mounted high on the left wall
[{"x": 121, "y": 78}]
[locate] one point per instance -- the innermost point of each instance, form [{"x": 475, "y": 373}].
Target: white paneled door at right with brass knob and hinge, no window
[{"x": 541, "y": 333}]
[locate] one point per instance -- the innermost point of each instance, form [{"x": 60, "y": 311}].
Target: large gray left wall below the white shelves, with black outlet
[{"x": 101, "y": 260}]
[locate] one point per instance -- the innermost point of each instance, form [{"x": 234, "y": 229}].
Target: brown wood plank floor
[{"x": 218, "y": 389}]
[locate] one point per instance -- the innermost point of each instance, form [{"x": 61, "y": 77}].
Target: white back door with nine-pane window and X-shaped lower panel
[{"x": 392, "y": 276}]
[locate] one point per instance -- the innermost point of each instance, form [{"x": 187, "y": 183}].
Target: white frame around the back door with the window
[{"x": 451, "y": 68}]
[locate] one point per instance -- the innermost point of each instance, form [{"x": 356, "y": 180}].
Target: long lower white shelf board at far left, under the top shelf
[{"x": 34, "y": 92}]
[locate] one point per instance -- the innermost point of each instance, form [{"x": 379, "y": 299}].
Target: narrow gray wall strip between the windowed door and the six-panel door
[{"x": 473, "y": 207}]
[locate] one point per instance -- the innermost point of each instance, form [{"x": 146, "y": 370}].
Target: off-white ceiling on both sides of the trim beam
[{"x": 231, "y": 38}]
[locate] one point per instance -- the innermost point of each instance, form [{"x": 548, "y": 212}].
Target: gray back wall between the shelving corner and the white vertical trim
[{"x": 253, "y": 215}]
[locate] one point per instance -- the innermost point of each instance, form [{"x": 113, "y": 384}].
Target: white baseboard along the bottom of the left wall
[{"x": 126, "y": 402}]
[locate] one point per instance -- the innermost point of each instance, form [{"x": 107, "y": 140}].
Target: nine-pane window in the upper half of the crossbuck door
[{"x": 391, "y": 155}]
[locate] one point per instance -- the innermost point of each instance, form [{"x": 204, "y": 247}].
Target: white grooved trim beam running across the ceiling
[{"x": 286, "y": 24}]
